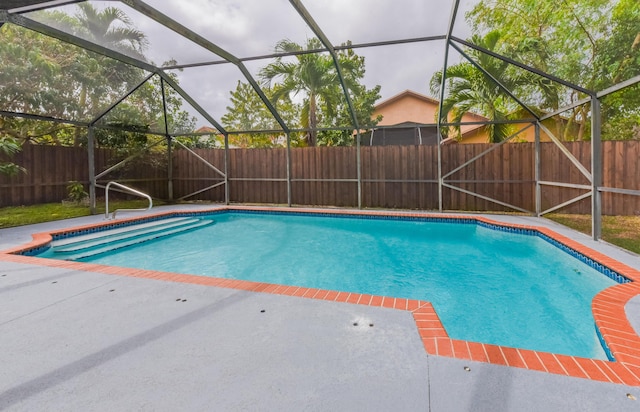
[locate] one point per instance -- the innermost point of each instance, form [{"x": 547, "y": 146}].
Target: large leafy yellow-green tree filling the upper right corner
[{"x": 587, "y": 42}]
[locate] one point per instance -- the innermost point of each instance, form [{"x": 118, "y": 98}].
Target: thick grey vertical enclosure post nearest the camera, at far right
[{"x": 596, "y": 168}]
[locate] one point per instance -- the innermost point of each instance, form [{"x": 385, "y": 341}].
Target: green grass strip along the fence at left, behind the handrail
[{"x": 27, "y": 215}]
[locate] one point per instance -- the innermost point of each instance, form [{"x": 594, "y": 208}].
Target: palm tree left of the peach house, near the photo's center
[{"x": 313, "y": 74}]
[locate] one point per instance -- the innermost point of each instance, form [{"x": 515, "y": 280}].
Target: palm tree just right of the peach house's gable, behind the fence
[{"x": 470, "y": 90}]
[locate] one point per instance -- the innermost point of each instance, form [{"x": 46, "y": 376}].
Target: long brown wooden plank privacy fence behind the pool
[{"x": 390, "y": 176}]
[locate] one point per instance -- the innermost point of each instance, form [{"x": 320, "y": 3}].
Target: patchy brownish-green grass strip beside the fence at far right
[{"x": 623, "y": 231}]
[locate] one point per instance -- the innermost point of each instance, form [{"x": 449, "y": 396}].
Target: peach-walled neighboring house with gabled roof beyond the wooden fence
[{"x": 408, "y": 118}]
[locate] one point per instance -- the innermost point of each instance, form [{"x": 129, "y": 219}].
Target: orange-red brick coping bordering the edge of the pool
[{"x": 607, "y": 306}]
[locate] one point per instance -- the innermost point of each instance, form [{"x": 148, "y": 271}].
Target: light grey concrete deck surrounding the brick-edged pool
[{"x": 83, "y": 340}]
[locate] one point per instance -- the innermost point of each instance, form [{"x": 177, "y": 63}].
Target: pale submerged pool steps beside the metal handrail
[{"x": 92, "y": 244}]
